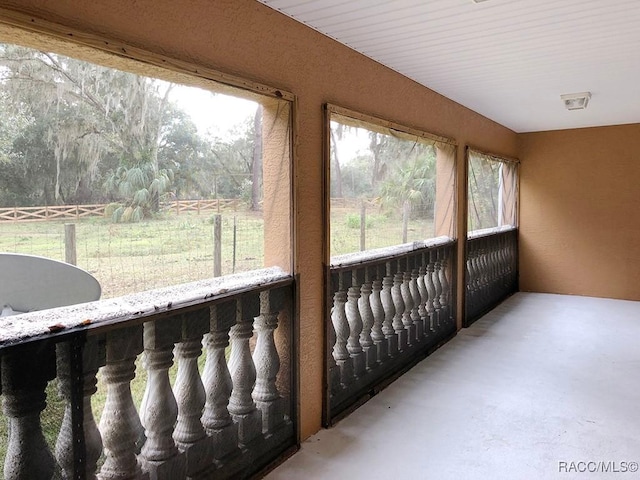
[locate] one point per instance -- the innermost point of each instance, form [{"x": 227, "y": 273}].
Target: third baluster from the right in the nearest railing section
[{"x": 217, "y": 383}]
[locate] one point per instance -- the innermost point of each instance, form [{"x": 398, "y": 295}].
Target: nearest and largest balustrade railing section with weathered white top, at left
[{"x": 228, "y": 421}]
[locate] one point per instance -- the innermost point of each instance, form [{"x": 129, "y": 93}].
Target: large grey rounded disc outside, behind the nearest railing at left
[{"x": 29, "y": 283}]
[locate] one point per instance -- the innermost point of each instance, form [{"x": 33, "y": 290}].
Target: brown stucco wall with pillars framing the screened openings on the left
[{"x": 248, "y": 39}]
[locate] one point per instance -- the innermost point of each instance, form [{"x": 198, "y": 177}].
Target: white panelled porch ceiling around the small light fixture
[{"x": 509, "y": 60}]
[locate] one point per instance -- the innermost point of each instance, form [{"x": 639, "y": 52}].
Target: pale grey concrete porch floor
[{"x": 541, "y": 380}]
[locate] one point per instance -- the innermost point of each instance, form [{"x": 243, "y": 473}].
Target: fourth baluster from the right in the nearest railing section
[{"x": 189, "y": 434}]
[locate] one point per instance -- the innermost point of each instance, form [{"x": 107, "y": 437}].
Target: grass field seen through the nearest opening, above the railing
[{"x": 126, "y": 258}]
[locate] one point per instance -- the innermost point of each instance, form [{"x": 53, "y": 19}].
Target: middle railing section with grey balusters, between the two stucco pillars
[{"x": 389, "y": 308}]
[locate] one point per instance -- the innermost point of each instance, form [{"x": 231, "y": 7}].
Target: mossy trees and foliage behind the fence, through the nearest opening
[{"x": 72, "y": 132}]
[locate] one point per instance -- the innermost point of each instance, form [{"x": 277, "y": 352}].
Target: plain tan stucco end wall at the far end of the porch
[{"x": 580, "y": 212}]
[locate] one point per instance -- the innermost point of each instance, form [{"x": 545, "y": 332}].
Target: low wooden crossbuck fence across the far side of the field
[{"x": 61, "y": 212}]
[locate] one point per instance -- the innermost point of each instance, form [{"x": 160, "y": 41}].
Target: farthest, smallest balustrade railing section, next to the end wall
[{"x": 491, "y": 269}]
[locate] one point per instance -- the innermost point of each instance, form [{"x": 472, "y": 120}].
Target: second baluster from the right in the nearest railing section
[{"x": 243, "y": 372}]
